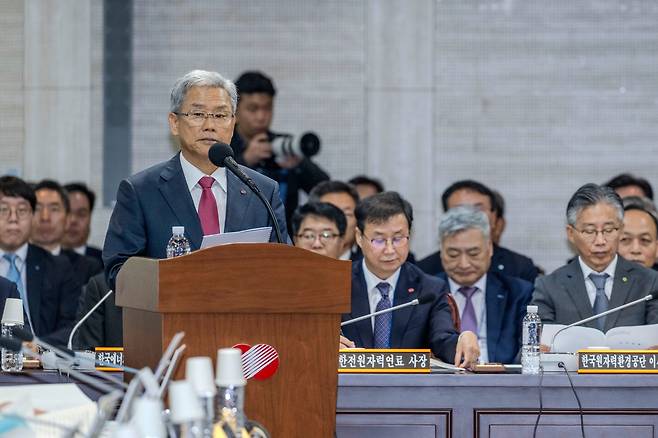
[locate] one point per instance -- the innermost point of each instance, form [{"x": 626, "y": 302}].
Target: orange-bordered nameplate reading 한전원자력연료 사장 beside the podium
[{"x": 383, "y": 361}]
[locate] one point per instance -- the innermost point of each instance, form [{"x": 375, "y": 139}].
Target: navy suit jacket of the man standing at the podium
[{"x": 152, "y": 201}]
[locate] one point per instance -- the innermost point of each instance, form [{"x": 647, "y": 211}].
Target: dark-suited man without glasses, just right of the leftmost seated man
[{"x": 49, "y": 225}]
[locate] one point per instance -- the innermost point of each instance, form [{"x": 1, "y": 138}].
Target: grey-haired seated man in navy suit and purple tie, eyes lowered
[{"x": 491, "y": 304}]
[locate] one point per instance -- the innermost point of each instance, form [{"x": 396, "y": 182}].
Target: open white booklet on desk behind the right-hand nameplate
[{"x": 637, "y": 337}]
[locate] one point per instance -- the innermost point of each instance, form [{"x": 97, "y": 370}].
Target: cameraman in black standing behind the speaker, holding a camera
[{"x": 252, "y": 147}]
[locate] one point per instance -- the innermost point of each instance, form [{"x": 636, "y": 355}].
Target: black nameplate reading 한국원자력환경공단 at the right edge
[{"x": 617, "y": 361}]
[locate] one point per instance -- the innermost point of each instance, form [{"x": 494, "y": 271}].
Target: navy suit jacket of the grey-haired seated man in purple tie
[{"x": 506, "y": 300}]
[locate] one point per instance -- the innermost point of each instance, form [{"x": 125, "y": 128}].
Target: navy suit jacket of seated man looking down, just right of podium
[{"x": 424, "y": 326}]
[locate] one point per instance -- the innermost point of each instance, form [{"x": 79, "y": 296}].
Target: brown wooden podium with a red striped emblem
[{"x": 272, "y": 294}]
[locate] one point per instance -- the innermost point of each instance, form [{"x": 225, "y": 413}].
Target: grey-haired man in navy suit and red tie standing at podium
[{"x": 188, "y": 189}]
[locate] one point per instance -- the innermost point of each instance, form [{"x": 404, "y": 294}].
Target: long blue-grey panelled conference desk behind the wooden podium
[{"x": 469, "y": 405}]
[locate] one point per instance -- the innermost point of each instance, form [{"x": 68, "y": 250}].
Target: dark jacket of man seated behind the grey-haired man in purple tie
[{"x": 503, "y": 261}]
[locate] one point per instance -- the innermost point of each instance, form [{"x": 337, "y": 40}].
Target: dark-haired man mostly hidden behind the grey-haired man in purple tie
[{"x": 505, "y": 261}]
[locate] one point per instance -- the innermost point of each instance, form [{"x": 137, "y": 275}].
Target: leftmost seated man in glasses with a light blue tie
[{"x": 45, "y": 282}]
